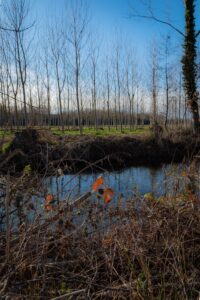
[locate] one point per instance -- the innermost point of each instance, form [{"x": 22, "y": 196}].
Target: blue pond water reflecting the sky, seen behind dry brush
[{"x": 126, "y": 183}]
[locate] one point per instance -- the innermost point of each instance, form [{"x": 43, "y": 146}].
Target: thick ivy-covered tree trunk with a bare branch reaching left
[{"x": 189, "y": 66}]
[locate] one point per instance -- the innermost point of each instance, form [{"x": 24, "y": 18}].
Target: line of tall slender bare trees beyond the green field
[{"x": 62, "y": 76}]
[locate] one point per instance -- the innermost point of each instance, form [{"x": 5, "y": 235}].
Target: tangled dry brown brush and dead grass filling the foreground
[{"x": 146, "y": 249}]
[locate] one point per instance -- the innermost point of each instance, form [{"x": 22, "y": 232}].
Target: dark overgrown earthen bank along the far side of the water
[{"x": 45, "y": 152}]
